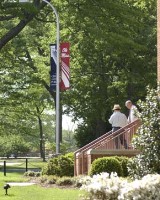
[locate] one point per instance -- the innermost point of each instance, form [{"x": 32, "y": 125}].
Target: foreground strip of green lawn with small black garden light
[{"x": 38, "y": 193}]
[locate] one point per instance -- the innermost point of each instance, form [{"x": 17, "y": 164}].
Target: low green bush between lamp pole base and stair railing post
[{"x": 60, "y": 166}]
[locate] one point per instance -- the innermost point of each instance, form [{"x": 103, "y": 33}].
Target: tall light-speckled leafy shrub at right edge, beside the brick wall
[{"x": 147, "y": 139}]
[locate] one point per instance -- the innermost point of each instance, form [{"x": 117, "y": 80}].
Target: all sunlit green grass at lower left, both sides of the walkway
[{"x": 34, "y": 192}]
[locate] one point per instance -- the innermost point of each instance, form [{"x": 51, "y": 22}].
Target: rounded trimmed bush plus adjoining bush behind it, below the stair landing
[{"x": 110, "y": 164}]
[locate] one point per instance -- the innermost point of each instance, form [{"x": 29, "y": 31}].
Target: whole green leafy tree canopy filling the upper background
[{"x": 113, "y": 58}]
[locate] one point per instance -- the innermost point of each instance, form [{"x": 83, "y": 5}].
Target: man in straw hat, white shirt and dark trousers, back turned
[{"x": 118, "y": 120}]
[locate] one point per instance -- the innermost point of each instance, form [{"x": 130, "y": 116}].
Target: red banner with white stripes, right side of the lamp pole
[{"x": 65, "y": 69}]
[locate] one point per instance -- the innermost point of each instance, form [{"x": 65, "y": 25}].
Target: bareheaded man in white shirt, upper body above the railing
[{"x": 132, "y": 111}]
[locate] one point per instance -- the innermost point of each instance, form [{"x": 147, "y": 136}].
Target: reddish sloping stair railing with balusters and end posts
[{"x": 106, "y": 141}]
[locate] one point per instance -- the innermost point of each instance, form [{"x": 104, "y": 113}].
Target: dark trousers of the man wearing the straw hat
[{"x": 120, "y": 138}]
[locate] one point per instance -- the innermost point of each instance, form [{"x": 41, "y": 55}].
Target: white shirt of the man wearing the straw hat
[{"x": 118, "y": 119}]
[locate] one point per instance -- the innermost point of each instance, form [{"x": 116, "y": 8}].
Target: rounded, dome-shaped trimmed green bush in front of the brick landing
[{"x": 106, "y": 164}]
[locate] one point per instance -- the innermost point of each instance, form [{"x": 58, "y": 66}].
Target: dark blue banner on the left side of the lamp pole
[{"x": 53, "y": 60}]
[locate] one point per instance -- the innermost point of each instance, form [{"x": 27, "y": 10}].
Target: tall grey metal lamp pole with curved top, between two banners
[{"x": 57, "y": 81}]
